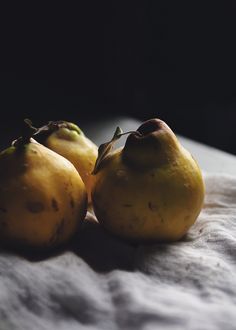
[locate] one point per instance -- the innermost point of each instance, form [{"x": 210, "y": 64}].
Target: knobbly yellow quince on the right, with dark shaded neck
[{"x": 150, "y": 190}]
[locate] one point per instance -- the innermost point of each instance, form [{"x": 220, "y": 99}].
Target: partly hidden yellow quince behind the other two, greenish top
[{"x": 69, "y": 141}]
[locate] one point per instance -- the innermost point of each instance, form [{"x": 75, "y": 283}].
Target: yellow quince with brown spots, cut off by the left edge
[{"x": 42, "y": 197}]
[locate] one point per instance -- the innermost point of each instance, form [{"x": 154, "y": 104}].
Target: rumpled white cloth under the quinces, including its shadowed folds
[{"x": 100, "y": 282}]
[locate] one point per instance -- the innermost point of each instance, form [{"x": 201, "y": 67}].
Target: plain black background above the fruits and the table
[{"x": 141, "y": 59}]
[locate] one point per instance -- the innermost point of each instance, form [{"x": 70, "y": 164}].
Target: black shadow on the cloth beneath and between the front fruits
[{"x": 100, "y": 250}]
